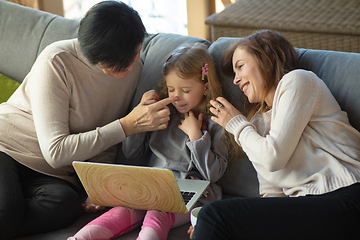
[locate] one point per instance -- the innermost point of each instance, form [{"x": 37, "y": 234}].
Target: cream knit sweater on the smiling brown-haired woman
[{"x": 304, "y": 144}]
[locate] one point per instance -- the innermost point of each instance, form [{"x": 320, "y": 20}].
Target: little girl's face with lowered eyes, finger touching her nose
[{"x": 187, "y": 93}]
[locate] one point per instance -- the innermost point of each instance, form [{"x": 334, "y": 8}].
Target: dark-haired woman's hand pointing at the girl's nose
[{"x": 149, "y": 115}]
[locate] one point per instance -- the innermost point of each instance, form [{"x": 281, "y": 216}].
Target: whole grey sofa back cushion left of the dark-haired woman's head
[{"x": 24, "y": 33}]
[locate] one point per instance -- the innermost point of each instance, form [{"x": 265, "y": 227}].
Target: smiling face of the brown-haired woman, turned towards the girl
[{"x": 247, "y": 75}]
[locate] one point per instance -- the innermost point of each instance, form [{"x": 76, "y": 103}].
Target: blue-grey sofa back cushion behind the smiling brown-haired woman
[{"x": 340, "y": 71}]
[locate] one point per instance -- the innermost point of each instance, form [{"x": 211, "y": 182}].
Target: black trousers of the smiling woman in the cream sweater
[{"x": 334, "y": 215}]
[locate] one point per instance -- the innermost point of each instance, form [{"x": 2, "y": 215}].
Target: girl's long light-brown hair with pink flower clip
[{"x": 187, "y": 62}]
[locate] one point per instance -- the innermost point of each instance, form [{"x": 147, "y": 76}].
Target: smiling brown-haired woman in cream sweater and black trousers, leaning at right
[{"x": 301, "y": 144}]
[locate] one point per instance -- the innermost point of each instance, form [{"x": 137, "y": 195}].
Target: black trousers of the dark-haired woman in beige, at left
[{"x": 31, "y": 202}]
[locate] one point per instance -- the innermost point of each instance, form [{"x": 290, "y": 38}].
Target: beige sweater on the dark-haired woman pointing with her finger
[{"x": 66, "y": 109}]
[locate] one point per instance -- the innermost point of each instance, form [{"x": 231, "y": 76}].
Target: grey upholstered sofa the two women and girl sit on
[{"x": 24, "y": 32}]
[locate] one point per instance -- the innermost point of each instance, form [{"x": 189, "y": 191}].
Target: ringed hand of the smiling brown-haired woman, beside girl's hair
[{"x": 223, "y": 111}]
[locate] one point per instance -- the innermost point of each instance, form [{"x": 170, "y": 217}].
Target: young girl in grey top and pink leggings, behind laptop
[{"x": 191, "y": 146}]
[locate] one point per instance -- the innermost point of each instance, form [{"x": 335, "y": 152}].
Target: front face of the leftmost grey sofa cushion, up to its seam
[{"x": 28, "y": 33}]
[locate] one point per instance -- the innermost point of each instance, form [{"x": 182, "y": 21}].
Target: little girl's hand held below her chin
[{"x": 192, "y": 125}]
